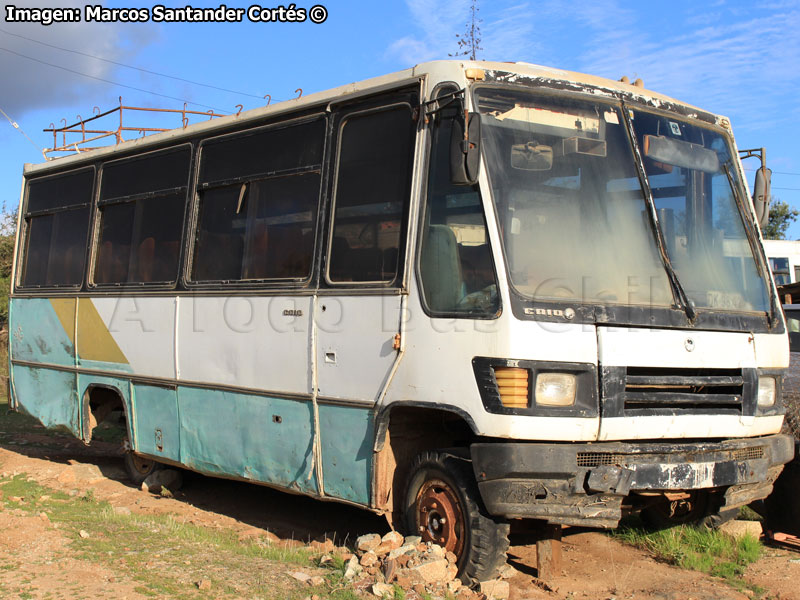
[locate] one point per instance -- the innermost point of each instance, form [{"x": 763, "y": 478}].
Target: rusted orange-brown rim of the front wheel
[{"x": 440, "y": 518}]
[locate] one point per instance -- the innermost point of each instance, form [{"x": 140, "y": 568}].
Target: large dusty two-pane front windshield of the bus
[{"x": 574, "y": 218}]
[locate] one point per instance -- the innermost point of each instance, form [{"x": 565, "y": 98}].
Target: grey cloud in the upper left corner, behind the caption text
[{"x": 29, "y": 85}]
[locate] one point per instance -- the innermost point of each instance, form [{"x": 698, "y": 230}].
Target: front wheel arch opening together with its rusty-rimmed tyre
[{"x": 422, "y": 460}]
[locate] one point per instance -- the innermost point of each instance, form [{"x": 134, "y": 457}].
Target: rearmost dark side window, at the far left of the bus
[{"x": 56, "y": 222}]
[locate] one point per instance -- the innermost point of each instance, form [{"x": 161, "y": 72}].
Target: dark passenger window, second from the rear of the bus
[{"x": 141, "y": 210}]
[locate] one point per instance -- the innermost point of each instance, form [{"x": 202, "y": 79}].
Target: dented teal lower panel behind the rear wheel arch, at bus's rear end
[{"x": 49, "y": 396}]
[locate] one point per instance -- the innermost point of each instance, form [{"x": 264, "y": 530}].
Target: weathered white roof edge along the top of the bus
[{"x": 439, "y": 70}]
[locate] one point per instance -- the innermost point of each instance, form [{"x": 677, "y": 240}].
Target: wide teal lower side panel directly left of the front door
[{"x": 254, "y": 437}]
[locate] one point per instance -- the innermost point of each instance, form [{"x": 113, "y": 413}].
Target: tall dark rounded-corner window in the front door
[{"x": 372, "y": 195}]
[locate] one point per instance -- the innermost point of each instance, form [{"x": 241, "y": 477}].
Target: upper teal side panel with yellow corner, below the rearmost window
[{"x": 43, "y": 330}]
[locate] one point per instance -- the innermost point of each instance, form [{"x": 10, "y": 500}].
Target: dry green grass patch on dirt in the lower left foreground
[{"x": 167, "y": 557}]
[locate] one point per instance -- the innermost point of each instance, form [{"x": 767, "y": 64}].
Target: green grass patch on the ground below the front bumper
[{"x": 699, "y": 549}]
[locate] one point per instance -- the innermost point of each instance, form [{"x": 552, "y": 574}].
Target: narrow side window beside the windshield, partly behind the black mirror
[{"x": 455, "y": 265}]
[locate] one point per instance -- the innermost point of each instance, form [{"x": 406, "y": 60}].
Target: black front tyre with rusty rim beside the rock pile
[{"x": 442, "y": 505}]
